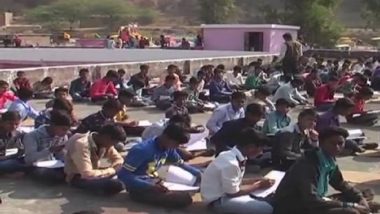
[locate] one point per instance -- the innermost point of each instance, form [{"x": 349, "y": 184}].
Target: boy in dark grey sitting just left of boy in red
[{"x": 80, "y": 88}]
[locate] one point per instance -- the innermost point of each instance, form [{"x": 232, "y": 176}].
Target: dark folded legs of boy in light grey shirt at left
[{"x": 48, "y": 176}]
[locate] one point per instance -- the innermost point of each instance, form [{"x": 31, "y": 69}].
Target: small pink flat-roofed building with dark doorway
[{"x": 236, "y": 37}]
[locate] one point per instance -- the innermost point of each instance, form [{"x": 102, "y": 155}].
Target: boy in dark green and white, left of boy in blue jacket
[{"x": 193, "y": 102}]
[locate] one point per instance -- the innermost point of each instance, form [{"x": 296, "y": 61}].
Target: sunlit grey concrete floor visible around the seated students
[{"x": 22, "y": 196}]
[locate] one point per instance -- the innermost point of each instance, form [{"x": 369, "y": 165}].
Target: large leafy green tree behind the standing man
[{"x": 315, "y": 17}]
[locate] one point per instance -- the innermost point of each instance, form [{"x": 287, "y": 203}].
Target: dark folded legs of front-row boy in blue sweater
[{"x": 167, "y": 200}]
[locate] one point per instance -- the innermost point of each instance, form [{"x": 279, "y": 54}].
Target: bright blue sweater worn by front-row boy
[{"x": 141, "y": 163}]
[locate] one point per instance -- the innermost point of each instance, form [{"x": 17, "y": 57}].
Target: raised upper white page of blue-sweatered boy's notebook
[{"x": 178, "y": 175}]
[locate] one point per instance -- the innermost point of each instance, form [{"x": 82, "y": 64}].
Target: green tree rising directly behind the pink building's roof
[{"x": 217, "y": 11}]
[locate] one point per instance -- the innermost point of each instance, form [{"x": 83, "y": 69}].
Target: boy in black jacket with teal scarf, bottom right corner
[{"x": 305, "y": 185}]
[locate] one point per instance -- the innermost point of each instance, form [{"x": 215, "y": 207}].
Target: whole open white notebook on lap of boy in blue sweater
[{"x": 178, "y": 179}]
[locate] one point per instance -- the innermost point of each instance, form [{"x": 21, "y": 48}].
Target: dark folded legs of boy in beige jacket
[{"x": 102, "y": 186}]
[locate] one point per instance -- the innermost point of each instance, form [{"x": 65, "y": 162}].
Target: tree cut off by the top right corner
[{"x": 371, "y": 13}]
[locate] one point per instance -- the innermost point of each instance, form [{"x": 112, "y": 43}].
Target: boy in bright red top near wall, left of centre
[{"x": 104, "y": 88}]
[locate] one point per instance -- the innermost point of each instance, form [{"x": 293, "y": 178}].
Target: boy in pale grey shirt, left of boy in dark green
[{"x": 162, "y": 95}]
